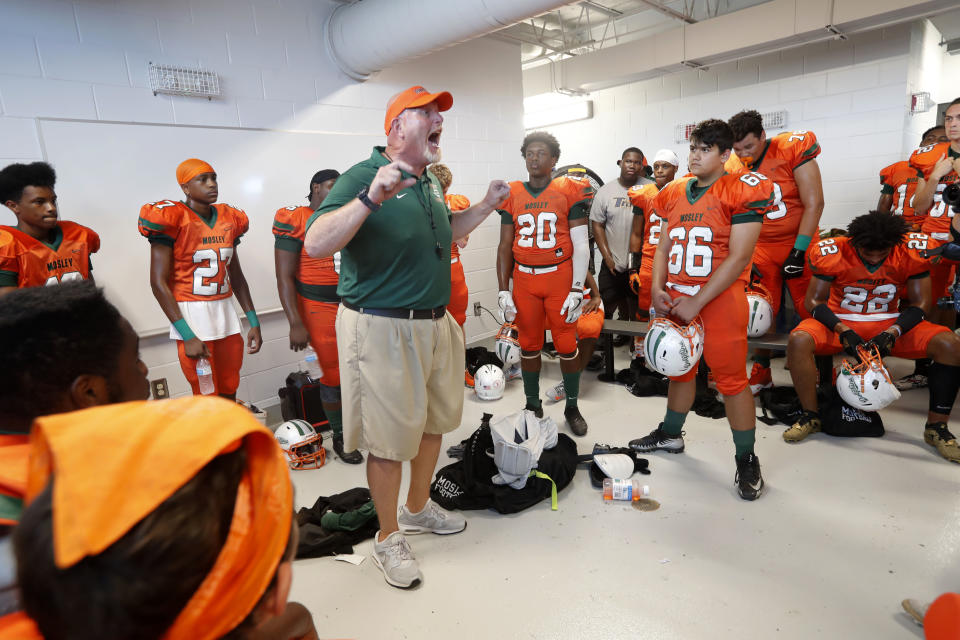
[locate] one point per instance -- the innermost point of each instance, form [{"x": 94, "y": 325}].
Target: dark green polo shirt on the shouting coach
[{"x": 393, "y": 261}]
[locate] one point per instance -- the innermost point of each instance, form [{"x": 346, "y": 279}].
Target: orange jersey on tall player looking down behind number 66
[{"x": 781, "y": 156}]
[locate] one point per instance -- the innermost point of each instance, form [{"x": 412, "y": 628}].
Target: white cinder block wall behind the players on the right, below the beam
[{"x": 854, "y": 94}]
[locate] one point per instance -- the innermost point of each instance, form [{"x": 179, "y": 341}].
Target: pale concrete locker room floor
[{"x": 844, "y": 531}]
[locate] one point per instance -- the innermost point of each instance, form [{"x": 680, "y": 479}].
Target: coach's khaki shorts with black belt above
[{"x": 399, "y": 379}]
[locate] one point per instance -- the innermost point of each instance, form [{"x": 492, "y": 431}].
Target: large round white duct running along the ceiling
[{"x": 366, "y": 37}]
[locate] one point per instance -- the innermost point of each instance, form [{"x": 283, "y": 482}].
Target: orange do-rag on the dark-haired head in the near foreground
[{"x": 116, "y": 464}]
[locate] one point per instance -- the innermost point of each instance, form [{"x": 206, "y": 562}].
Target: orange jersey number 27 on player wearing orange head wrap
[{"x": 202, "y": 250}]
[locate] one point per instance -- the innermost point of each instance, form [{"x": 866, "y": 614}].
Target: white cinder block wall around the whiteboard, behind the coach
[{"x": 88, "y": 59}]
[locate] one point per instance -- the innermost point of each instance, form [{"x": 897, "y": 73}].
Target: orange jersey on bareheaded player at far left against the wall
[{"x": 28, "y": 262}]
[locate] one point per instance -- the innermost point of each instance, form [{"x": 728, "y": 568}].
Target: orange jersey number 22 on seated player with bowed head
[{"x": 860, "y": 293}]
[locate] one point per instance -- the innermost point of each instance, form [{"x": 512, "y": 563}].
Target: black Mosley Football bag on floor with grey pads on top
[{"x": 467, "y": 484}]
